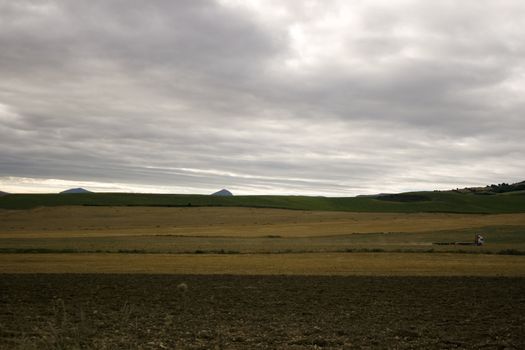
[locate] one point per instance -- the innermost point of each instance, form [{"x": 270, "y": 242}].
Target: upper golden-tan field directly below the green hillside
[{"x": 246, "y": 222}]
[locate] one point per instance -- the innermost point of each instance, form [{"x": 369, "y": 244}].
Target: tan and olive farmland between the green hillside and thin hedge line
[{"x": 248, "y": 230}]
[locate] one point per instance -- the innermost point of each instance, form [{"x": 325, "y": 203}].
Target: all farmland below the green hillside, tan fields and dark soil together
[{"x": 257, "y": 278}]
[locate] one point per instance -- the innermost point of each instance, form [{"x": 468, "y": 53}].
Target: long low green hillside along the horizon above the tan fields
[{"x": 407, "y": 202}]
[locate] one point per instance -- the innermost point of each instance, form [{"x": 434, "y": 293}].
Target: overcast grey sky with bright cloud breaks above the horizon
[{"x": 261, "y": 97}]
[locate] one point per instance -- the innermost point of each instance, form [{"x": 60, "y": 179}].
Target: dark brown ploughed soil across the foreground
[{"x": 254, "y": 312}]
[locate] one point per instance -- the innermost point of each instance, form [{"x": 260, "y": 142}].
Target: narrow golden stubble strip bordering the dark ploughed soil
[{"x": 381, "y": 264}]
